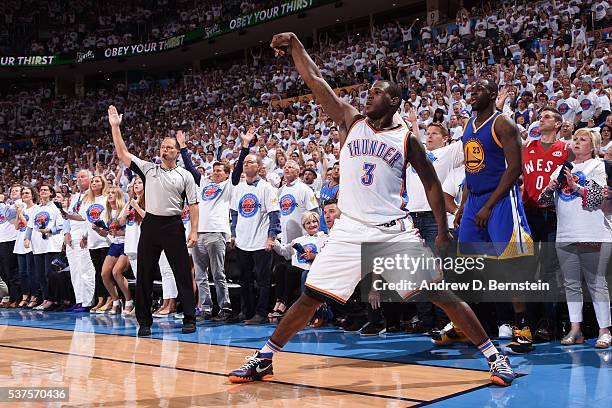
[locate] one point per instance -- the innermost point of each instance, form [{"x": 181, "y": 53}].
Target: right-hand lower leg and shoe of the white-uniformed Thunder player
[{"x": 462, "y": 315}]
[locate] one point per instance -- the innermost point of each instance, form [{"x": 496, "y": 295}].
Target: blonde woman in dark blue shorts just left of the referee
[{"x": 115, "y": 262}]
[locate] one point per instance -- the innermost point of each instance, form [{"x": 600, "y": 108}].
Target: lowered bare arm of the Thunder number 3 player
[{"x": 433, "y": 189}]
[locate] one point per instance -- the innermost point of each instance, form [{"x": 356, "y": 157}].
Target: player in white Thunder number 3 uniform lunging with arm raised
[{"x": 375, "y": 150}]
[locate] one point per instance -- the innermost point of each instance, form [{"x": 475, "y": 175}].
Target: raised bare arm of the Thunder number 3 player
[{"x": 341, "y": 112}]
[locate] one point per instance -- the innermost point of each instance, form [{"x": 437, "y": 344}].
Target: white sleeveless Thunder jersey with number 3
[{"x": 372, "y": 174}]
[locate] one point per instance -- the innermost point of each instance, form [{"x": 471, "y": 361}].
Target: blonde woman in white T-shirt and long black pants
[{"x": 93, "y": 209}]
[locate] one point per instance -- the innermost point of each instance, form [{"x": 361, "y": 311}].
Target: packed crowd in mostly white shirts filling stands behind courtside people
[{"x": 551, "y": 54}]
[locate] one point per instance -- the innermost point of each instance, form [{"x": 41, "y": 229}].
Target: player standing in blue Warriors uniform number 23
[{"x": 491, "y": 220}]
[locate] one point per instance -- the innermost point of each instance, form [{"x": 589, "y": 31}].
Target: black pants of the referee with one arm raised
[{"x": 159, "y": 234}]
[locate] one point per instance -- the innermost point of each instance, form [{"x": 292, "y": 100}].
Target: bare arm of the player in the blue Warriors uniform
[{"x": 509, "y": 136}]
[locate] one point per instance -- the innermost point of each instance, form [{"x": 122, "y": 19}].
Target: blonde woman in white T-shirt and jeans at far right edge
[{"x": 584, "y": 233}]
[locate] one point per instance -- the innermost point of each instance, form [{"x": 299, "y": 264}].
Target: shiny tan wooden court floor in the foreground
[{"x": 120, "y": 371}]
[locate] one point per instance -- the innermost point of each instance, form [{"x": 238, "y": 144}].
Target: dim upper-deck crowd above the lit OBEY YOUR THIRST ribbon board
[{"x": 34, "y": 27}]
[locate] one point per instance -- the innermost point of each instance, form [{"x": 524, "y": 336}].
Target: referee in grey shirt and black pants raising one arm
[{"x": 167, "y": 186}]
